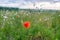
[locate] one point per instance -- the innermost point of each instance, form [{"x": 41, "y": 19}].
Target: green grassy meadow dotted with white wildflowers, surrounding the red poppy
[{"x": 44, "y": 25}]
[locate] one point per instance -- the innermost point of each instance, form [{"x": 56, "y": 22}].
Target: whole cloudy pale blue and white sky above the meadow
[{"x": 29, "y": 3}]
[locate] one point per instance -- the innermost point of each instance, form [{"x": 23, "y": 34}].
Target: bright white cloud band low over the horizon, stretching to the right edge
[{"x": 43, "y": 5}]
